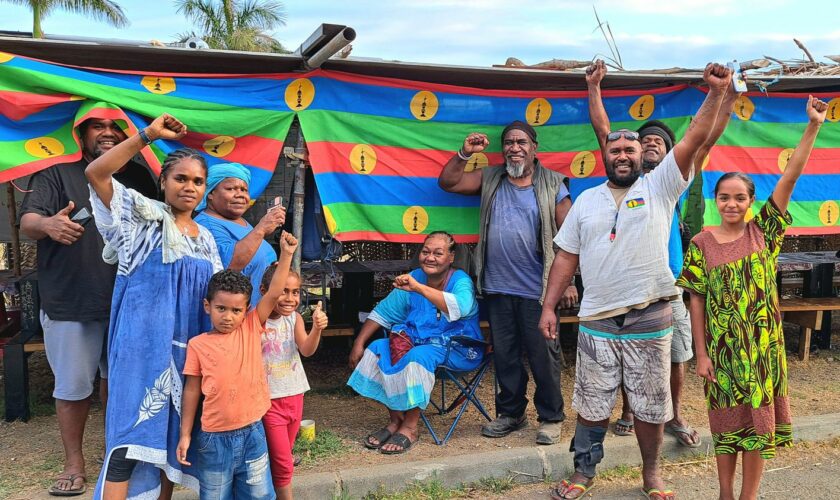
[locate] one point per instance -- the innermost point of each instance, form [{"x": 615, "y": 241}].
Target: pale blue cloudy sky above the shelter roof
[{"x": 649, "y": 33}]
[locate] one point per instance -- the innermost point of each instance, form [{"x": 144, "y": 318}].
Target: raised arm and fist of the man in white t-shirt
[{"x": 718, "y": 77}]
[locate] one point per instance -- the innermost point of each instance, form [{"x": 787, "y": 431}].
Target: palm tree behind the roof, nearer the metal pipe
[{"x": 234, "y": 25}]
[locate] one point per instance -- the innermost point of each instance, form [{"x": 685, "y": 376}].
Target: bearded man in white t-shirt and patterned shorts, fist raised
[{"x": 618, "y": 233}]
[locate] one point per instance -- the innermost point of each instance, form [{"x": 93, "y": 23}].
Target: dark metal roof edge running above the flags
[{"x": 145, "y": 57}]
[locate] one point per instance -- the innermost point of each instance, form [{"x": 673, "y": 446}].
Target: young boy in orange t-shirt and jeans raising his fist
[{"x": 226, "y": 365}]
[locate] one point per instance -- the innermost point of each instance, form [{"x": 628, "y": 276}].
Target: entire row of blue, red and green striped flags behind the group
[{"x": 377, "y": 145}]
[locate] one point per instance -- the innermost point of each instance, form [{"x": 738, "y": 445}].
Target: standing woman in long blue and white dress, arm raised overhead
[{"x": 164, "y": 261}]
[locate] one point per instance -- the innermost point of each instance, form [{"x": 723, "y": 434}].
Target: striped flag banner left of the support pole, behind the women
[{"x": 230, "y": 118}]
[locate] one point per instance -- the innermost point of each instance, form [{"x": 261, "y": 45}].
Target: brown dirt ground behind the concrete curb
[{"x": 32, "y": 453}]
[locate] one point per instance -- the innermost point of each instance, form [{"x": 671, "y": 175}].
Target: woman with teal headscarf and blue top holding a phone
[{"x": 242, "y": 247}]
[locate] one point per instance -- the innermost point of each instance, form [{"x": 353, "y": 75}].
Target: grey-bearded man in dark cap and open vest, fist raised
[{"x": 522, "y": 205}]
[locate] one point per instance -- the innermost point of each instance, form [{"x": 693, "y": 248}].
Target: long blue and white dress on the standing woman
[{"x": 157, "y": 307}]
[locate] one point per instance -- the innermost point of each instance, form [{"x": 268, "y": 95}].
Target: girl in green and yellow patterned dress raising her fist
[{"x": 736, "y": 324}]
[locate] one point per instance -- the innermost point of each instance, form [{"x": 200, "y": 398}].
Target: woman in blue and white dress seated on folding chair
[{"x": 427, "y": 308}]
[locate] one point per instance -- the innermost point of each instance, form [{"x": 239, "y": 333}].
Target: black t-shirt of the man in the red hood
[{"x": 74, "y": 283}]
